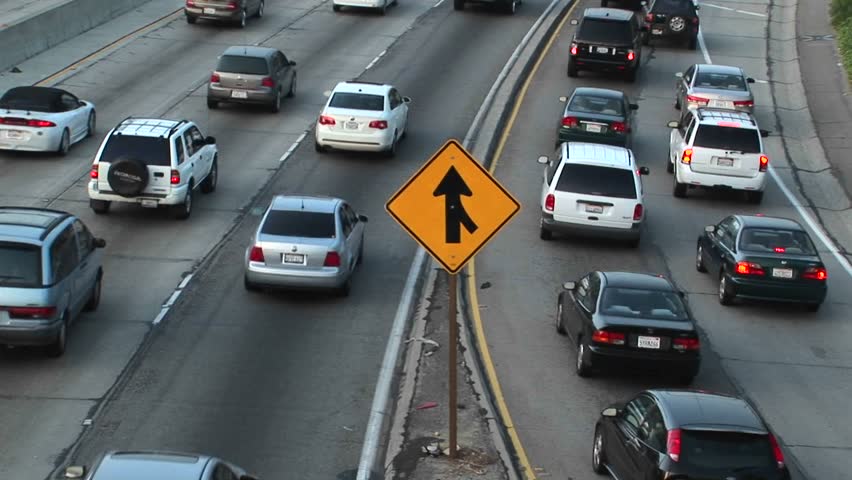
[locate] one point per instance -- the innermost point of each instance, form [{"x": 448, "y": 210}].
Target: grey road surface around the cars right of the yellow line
[{"x": 792, "y": 364}]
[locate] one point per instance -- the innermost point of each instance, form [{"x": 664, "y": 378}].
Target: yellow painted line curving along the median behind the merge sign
[{"x": 490, "y": 371}]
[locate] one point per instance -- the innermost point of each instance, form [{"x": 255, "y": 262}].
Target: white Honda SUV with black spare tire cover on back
[{"x": 153, "y": 163}]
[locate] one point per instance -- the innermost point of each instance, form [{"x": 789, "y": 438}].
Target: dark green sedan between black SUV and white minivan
[{"x": 596, "y": 115}]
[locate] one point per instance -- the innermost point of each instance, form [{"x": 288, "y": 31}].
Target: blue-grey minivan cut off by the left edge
[{"x": 50, "y": 270}]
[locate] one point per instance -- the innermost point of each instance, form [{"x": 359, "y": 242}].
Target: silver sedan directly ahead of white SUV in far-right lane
[{"x": 714, "y": 86}]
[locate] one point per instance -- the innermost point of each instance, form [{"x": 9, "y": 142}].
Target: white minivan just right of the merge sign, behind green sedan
[{"x": 592, "y": 189}]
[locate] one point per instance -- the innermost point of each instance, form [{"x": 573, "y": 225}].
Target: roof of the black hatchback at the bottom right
[{"x": 697, "y": 409}]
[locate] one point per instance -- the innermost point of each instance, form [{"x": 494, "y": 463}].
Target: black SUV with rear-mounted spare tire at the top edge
[{"x": 675, "y": 19}]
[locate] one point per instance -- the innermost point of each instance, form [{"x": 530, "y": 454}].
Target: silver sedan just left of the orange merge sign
[{"x": 306, "y": 243}]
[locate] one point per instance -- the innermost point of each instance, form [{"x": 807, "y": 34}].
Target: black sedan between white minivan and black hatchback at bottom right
[{"x": 622, "y": 320}]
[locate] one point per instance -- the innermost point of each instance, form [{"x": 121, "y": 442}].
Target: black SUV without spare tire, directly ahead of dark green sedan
[{"x": 607, "y": 39}]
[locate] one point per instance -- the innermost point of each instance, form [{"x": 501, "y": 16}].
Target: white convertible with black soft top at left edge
[{"x": 44, "y": 119}]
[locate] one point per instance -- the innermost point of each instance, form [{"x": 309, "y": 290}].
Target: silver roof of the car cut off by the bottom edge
[{"x": 147, "y": 465}]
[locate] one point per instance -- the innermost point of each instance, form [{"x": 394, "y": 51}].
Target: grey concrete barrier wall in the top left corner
[{"x": 30, "y": 36}]
